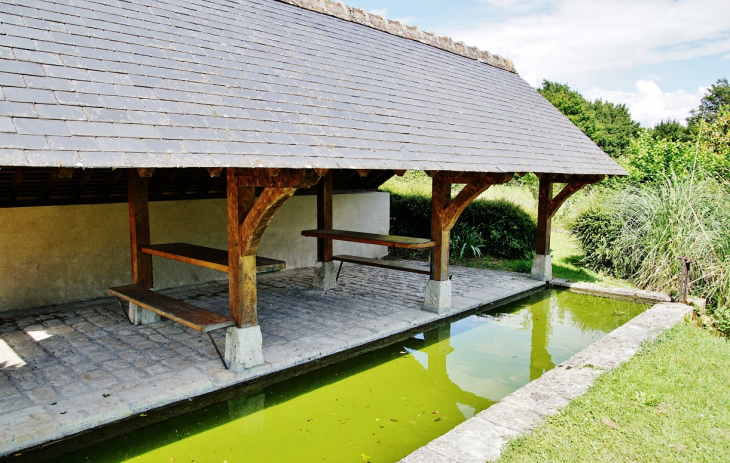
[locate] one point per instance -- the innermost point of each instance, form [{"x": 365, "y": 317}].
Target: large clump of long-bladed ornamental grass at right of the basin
[{"x": 641, "y": 231}]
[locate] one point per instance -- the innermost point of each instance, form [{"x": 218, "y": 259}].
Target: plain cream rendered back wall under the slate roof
[{"x": 58, "y": 254}]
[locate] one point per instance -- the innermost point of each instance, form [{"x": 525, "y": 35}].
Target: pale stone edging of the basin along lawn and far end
[{"x": 482, "y": 437}]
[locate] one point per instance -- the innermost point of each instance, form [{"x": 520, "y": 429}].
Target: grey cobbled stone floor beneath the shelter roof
[{"x": 69, "y": 369}]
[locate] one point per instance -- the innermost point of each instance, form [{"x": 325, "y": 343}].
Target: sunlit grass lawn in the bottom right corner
[{"x": 669, "y": 403}]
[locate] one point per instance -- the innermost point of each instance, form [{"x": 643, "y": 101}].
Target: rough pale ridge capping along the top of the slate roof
[{"x": 361, "y": 16}]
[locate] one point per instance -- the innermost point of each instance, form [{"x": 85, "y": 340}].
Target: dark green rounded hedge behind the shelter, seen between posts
[{"x": 507, "y": 230}]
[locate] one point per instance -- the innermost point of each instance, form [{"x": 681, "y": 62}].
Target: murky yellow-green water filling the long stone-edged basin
[{"x": 382, "y": 405}]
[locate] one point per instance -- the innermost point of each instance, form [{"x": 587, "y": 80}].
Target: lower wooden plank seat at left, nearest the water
[{"x": 197, "y": 318}]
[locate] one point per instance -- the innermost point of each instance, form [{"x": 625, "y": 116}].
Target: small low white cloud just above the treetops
[{"x": 649, "y": 104}]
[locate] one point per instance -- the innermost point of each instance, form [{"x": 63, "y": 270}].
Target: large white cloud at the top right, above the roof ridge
[{"x": 573, "y": 39}]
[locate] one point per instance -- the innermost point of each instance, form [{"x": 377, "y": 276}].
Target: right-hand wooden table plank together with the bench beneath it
[{"x": 404, "y": 242}]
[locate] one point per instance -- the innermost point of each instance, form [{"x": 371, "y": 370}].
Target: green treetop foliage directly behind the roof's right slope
[{"x": 609, "y": 125}]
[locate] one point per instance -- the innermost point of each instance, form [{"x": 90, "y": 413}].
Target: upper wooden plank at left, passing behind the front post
[{"x": 216, "y": 259}]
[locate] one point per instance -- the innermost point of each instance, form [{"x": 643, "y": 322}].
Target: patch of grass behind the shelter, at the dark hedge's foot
[{"x": 566, "y": 262}]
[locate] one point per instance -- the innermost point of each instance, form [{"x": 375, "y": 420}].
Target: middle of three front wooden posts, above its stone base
[{"x": 440, "y": 199}]
